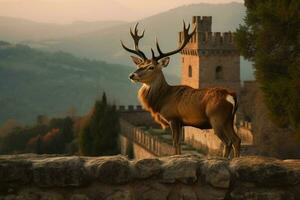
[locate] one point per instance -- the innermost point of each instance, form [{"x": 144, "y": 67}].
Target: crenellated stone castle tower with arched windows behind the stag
[{"x": 210, "y": 58}]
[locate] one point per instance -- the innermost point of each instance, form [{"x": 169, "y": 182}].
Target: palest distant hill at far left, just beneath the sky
[{"x": 16, "y": 30}]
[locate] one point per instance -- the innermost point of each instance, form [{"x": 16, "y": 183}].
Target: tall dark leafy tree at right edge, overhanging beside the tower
[{"x": 270, "y": 38}]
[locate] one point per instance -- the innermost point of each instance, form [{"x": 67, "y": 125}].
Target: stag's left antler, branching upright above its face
[{"x": 136, "y": 39}]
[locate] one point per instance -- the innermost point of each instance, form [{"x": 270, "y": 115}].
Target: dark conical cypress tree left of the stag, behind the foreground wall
[{"x": 99, "y": 136}]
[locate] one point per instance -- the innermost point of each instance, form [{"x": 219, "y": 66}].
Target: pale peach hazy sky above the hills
[{"x": 66, "y": 11}]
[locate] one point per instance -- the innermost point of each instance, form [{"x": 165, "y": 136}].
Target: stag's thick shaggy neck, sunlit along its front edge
[{"x": 152, "y": 95}]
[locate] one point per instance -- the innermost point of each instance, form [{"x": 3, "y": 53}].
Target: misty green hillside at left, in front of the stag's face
[{"x": 33, "y": 82}]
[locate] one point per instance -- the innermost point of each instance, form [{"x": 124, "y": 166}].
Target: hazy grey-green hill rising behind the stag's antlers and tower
[{"x": 105, "y": 44}]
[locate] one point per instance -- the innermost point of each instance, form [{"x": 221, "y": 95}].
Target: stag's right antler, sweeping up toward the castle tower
[{"x": 186, "y": 37}]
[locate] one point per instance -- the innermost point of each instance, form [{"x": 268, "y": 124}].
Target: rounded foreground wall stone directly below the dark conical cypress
[{"x": 110, "y": 169}]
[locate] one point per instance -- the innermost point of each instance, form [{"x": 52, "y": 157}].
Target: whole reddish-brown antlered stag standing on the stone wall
[{"x": 180, "y": 105}]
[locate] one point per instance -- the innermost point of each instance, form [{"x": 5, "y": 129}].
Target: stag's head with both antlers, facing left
[{"x": 148, "y": 69}]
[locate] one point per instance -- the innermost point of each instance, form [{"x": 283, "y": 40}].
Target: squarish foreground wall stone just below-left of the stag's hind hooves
[{"x": 216, "y": 172}]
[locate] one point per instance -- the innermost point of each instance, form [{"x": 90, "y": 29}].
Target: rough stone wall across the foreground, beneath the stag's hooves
[{"x": 33, "y": 177}]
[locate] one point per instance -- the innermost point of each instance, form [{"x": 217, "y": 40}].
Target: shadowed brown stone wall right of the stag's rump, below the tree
[{"x": 269, "y": 139}]
